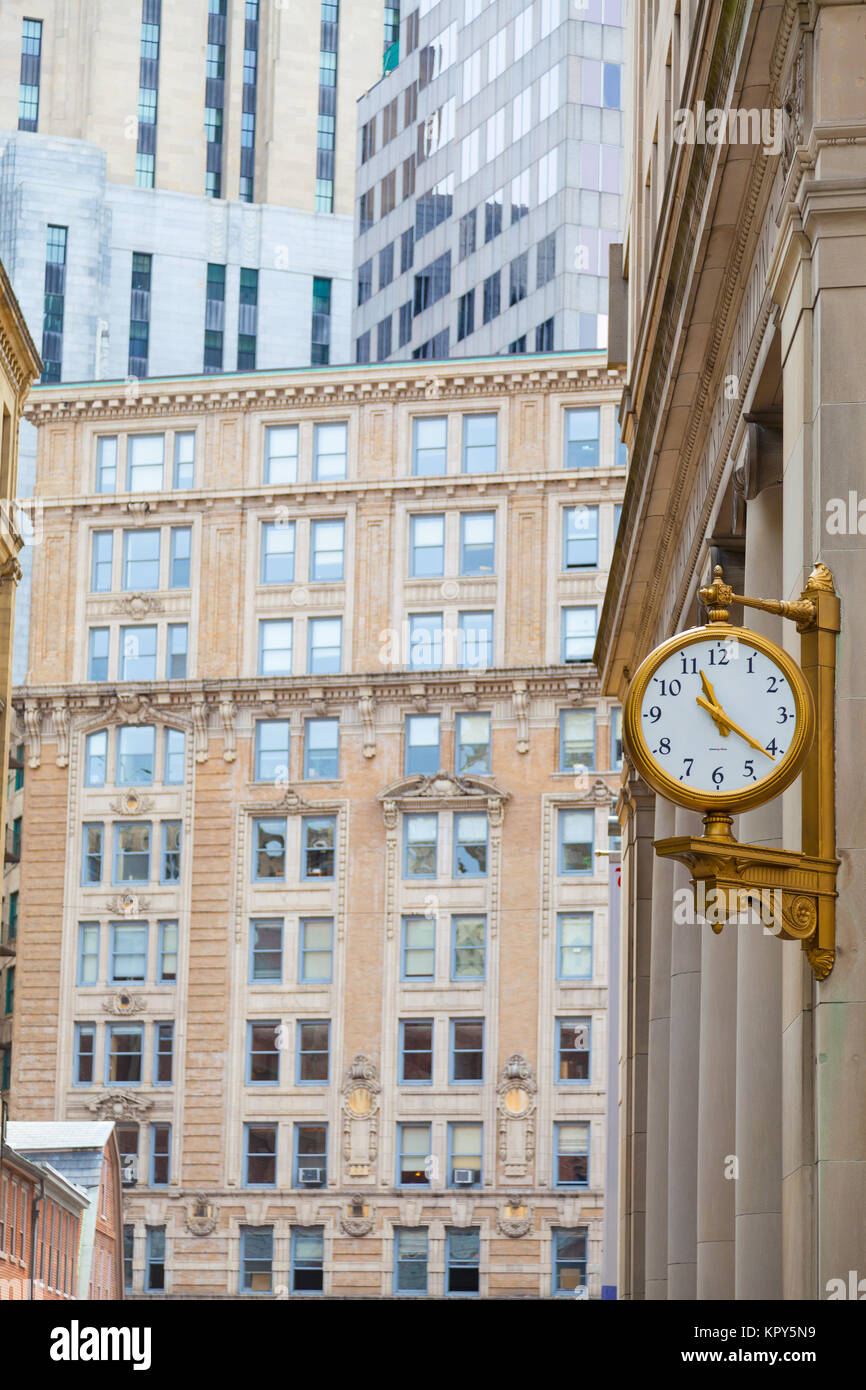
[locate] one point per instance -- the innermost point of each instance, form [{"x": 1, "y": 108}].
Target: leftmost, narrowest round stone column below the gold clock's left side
[{"x": 660, "y": 1060}]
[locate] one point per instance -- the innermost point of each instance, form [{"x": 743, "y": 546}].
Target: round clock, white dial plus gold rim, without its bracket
[{"x": 719, "y": 718}]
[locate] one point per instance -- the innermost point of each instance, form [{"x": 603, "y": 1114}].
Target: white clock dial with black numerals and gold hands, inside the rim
[{"x": 719, "y": 717}]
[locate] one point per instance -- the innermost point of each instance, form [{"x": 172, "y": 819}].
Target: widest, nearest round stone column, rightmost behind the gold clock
[{"x": 758, "y": 1150}]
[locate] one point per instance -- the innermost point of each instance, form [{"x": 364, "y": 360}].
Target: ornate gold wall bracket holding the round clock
[{"x": 797, "y": 886}]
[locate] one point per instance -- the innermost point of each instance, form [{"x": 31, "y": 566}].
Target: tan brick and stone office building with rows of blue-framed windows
[{"x": 316, "y": 822}]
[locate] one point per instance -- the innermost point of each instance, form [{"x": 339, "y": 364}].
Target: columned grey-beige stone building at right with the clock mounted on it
[{"x": 744, "y": 1149}]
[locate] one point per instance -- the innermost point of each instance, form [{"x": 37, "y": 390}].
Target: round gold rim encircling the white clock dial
[{"x": 708, "y": 801}]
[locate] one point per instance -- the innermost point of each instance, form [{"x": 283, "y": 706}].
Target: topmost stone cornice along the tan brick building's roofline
[{"x": 398, "y": 383}]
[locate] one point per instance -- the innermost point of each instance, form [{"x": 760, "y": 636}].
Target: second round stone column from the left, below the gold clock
[{"x": 683, "y": 1084}]
